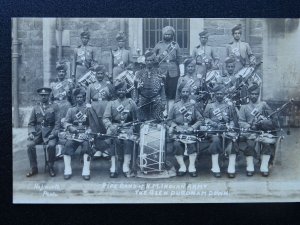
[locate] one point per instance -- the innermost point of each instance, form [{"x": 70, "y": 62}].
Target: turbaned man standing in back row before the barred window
[{"x": 169, "y": 57}]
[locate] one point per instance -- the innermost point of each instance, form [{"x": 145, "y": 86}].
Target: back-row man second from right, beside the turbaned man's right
[{"x": 205, "y": 52}]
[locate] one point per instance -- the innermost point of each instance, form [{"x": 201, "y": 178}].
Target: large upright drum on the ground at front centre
[{"x": 152, "y": 148}]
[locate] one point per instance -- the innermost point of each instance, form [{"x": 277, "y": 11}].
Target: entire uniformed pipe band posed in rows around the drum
[{"x": 203, "y": 102}]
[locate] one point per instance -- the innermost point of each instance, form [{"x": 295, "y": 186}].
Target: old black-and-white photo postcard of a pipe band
[{"x": 155, "y": 110}]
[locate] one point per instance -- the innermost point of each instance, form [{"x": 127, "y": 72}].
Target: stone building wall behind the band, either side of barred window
[{"x": 272, "y": 42}]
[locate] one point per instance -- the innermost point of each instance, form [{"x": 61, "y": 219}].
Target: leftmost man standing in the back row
[{"x": 83, "y": 58}]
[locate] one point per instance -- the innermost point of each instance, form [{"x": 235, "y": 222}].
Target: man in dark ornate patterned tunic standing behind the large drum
[{"x": 150, "y": 90}]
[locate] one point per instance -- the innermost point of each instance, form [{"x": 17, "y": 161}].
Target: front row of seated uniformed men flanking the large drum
[{"x": 183, "y": 116}]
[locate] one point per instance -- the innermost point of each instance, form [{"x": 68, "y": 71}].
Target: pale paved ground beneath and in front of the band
[{"x": 283, "y": 184}]
